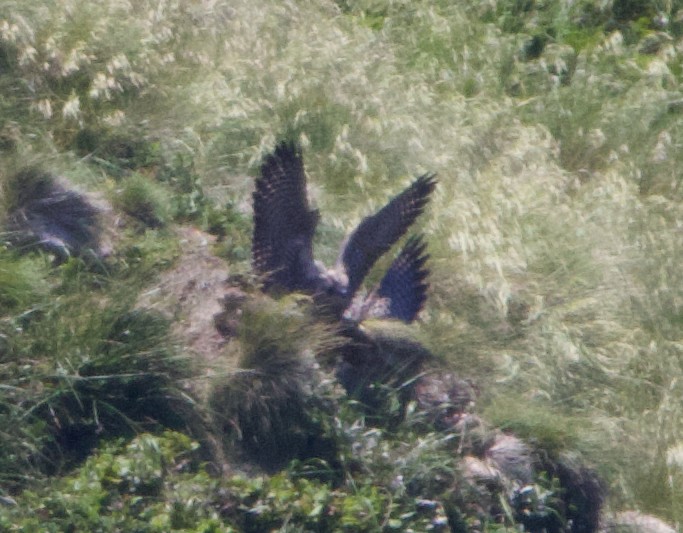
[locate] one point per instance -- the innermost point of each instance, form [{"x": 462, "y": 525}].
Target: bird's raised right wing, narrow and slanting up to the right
[{"x": 377, "y": 233}]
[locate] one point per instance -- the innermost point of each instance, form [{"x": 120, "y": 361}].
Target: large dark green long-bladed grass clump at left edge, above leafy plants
[{"x": 109, "y": 371}]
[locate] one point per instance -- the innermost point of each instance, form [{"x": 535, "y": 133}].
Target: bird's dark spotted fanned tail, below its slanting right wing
[{"x": 404, "y": 286}]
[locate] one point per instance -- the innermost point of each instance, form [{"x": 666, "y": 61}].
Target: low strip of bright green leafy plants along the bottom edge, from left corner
[{"x": 155, "y": 483}]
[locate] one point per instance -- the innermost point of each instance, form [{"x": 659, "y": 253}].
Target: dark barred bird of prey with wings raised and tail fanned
[{"x": 284, "y": 225}]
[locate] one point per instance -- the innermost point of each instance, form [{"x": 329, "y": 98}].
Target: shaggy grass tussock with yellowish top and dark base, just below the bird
[{"x": 275, "y": 405}]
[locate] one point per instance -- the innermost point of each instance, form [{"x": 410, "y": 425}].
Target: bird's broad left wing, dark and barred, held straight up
[{"x": 282, "y": 245}]
